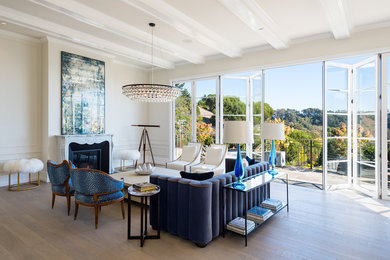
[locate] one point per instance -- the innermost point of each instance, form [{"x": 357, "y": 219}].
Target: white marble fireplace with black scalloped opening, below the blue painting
[{"x": 87, "y": 151}]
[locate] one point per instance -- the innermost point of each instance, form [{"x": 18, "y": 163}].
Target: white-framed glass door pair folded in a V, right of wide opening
[{"x": 351, "y": 120}]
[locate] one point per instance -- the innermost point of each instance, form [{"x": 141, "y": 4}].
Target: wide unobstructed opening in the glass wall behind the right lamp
[{"x": 293, "y": 95}]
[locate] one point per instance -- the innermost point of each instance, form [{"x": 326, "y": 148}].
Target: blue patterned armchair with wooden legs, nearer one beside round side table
[{"x": 95, "y": 188}]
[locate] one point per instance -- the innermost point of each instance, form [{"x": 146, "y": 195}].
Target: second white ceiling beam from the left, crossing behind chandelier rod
[{"x": 110, "y": 24}]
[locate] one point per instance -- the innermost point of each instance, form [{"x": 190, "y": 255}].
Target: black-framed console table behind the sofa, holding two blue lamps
[{"x": 248, "y": 184}]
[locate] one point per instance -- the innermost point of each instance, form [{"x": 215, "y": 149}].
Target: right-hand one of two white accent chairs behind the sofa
[{"x": 214, "y": 160}]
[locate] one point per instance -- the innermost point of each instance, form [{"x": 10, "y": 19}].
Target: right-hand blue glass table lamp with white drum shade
[{"x": 272, "y": 131}]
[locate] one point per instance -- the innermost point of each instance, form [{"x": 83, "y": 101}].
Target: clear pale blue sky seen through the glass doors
[{"x": 295, "y": 87}]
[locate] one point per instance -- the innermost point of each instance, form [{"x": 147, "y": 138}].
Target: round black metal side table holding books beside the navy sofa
[{"x": 144, "y": 214}]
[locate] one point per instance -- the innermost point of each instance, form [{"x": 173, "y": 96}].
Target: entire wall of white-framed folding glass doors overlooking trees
[{"x": 295, "y": 95}]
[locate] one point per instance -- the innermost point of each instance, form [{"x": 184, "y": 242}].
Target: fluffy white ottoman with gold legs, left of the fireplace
[{"x": 29, "y": 166}]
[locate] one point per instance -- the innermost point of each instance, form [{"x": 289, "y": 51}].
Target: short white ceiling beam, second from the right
[{"x": 254, "y": 16}]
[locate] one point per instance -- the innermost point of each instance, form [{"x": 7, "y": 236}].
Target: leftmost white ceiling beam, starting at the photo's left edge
[{"x": 69, "y": 34}]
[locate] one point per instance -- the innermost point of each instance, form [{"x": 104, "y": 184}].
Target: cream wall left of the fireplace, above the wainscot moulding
[{"x": 20, "y": 99}]
